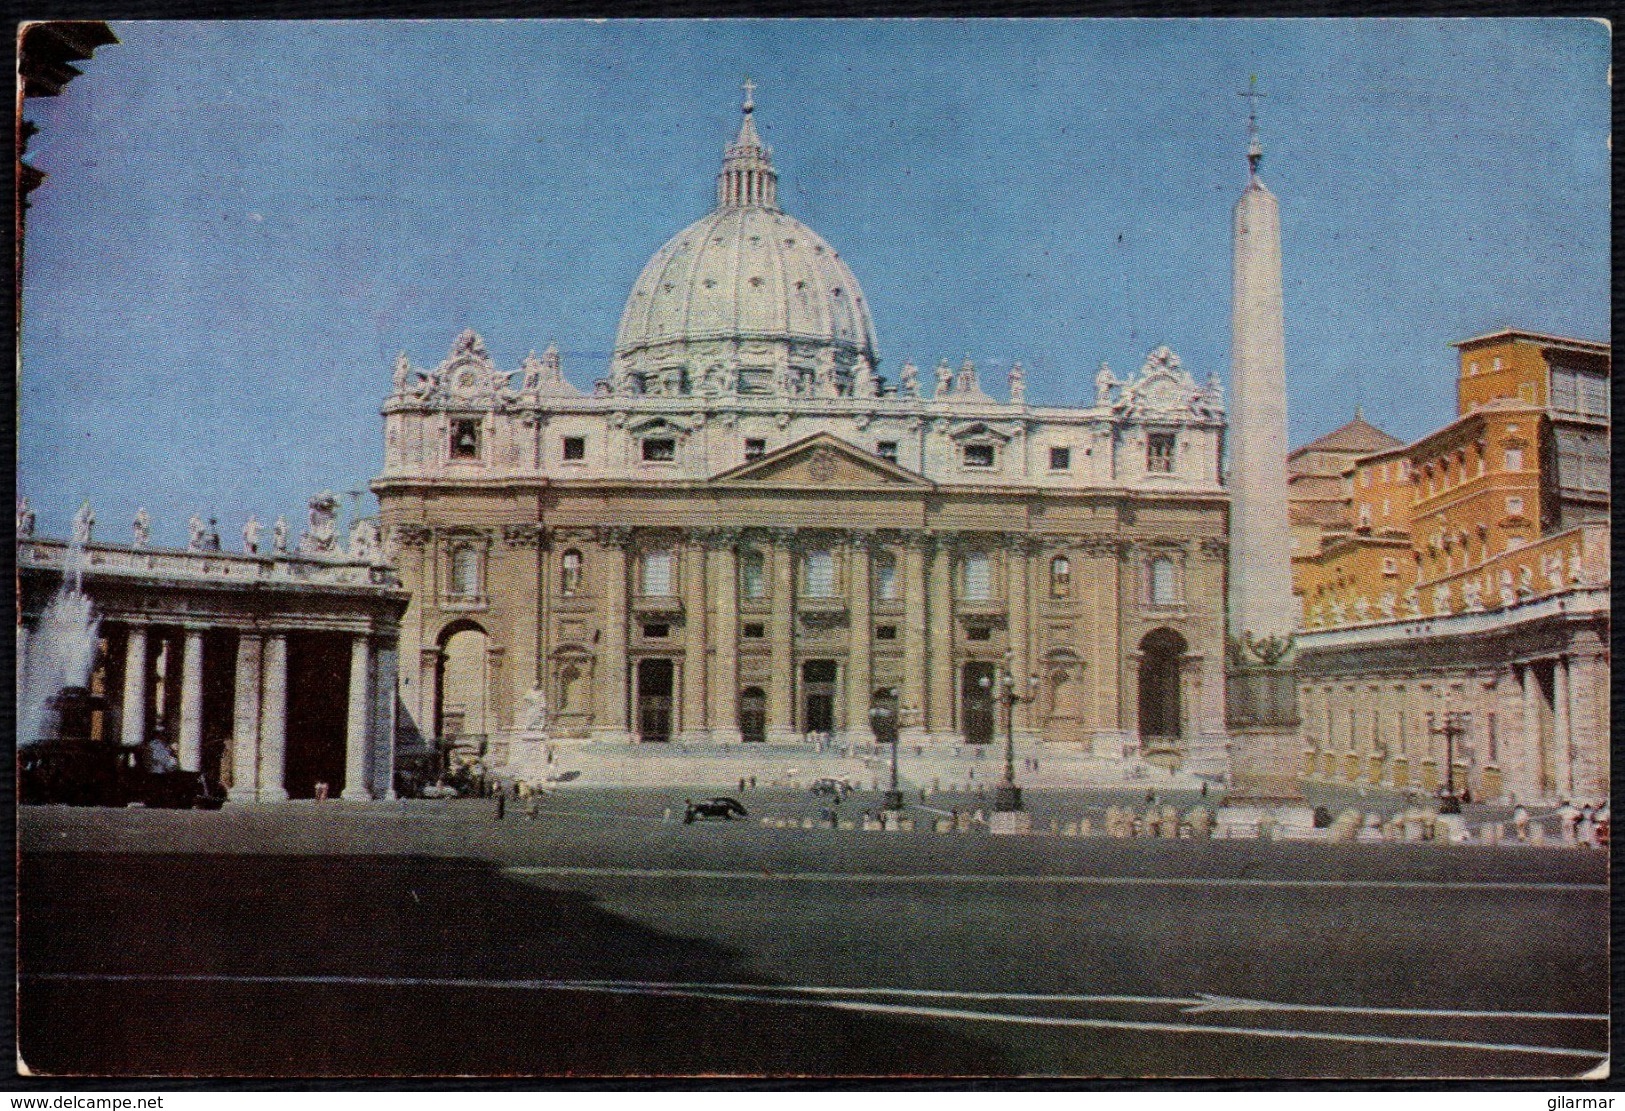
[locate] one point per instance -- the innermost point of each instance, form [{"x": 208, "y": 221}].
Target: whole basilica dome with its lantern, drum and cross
[{"x": 745, "y": 300}]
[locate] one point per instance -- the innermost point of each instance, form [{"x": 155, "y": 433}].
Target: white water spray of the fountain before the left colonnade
[{"x": 61, "y": 652}]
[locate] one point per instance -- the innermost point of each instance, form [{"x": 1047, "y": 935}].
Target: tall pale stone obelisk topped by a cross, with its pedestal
[{"x": 1260, "y": 686}]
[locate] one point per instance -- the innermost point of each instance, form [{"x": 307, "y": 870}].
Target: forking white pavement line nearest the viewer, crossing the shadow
[{"x": 792, "y": 996}]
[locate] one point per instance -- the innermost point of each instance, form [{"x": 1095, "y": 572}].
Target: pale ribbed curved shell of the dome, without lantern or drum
[{"x": 747, "y": 274}]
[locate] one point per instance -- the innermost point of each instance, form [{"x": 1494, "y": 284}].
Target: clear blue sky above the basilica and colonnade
[{"x": 246, "y": 222}]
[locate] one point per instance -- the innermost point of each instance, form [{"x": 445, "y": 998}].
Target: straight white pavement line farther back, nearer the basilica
[{"x": 1073, "y": 881}]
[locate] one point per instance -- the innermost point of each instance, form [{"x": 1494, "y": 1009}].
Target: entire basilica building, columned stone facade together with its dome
[{"x": 747, "y": 532}]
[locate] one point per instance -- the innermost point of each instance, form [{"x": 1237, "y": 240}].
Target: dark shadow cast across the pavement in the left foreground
[{"x": 399, "y": 917}]
